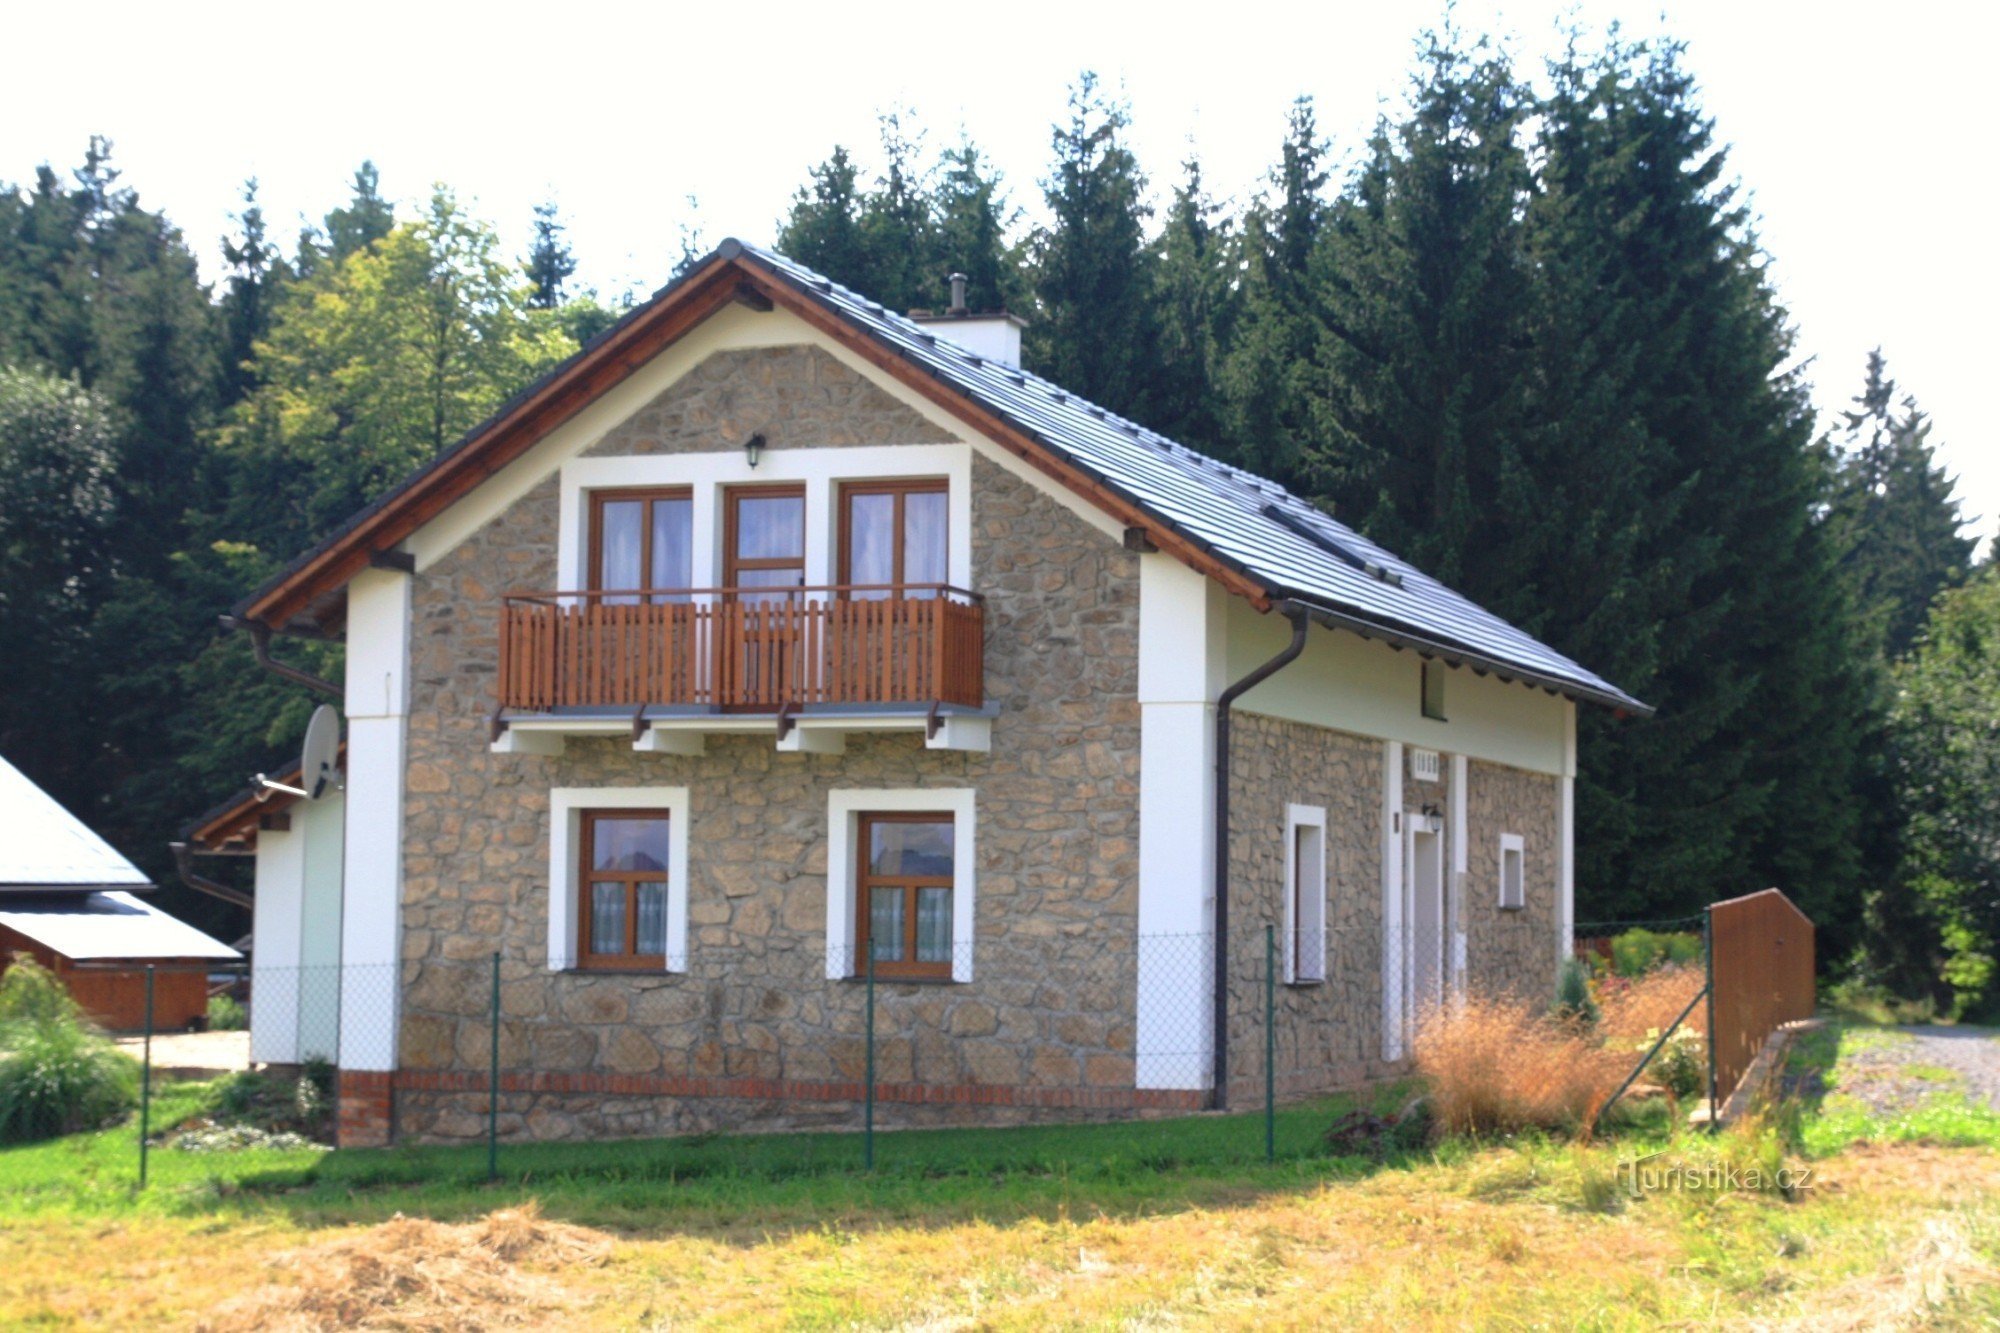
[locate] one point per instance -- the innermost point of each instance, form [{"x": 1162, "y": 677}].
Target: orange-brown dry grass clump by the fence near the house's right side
[{"x": 1499, "y": 1068}]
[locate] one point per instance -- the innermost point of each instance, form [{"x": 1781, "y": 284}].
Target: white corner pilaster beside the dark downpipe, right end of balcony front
[{"x": 1181, "y": 663}]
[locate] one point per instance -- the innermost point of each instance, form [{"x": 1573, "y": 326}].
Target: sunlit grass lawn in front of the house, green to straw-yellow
[{"x": 1159, "y": 1224}]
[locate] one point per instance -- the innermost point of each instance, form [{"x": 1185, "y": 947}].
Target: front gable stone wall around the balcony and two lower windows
[{"x": 755, "y": 1028}]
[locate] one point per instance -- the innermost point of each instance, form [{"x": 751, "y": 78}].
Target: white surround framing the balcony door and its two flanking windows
[{"x": 819, "y": 469}]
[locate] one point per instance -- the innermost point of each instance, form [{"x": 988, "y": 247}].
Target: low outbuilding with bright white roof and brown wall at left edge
[{"x": 69, "y": 902}]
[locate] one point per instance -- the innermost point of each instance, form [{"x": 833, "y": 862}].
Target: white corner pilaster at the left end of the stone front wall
[{"x": 371, "y": 920}]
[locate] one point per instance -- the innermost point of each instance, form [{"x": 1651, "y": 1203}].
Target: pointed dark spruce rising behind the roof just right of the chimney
[{"x": 1093, "y": 269}]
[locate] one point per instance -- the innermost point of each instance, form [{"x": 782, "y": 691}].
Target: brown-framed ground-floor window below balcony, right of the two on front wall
[{"x": 905, "y": 896}]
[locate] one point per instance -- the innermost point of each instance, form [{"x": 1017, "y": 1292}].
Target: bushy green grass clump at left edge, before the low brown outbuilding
[{"x": 59, "y": 1076}]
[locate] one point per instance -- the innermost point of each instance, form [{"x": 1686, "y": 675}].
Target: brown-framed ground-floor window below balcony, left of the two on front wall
[{"x": 623, "y": 904}]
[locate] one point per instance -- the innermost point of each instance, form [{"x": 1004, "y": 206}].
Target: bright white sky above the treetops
[{"x": 1857, "y": 129}]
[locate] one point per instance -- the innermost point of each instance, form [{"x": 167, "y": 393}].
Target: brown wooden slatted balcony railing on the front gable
[{"x": 747, "y": 649}]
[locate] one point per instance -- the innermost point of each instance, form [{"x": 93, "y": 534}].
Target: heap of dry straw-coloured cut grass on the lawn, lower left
[{"x": 419, "y": 1276}]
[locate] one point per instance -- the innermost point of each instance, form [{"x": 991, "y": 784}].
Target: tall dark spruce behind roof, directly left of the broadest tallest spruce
[{"x": 1421, "y": 363}]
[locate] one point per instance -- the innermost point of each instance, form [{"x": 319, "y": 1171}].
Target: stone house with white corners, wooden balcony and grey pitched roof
[{"x": 777, "y": 631}]
